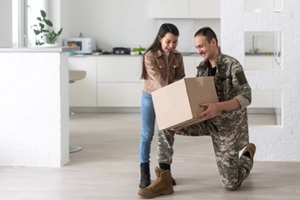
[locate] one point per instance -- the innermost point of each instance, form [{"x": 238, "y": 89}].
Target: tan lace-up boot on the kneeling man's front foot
[{"x": 161, "y": 186}]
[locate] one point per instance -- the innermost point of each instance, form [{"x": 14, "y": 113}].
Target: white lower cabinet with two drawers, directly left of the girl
[{"x": 118, "y": 81}]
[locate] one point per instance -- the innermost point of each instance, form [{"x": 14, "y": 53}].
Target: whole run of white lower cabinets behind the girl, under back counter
[{"x": 113, "y": 81}]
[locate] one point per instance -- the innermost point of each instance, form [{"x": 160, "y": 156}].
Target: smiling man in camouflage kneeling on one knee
[{"x": 229, "y": 130}]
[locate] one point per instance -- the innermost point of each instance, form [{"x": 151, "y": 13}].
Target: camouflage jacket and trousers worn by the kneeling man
[{"x": 229, "y": 130}]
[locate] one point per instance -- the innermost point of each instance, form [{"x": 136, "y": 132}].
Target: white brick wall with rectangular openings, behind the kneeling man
[{"x": 274, "y": 143}]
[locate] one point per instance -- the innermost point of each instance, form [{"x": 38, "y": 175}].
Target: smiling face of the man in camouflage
[{"x": 204, "y": 48}]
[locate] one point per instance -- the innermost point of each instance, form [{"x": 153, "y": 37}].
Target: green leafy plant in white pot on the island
[{"x": 44, "y": 30}]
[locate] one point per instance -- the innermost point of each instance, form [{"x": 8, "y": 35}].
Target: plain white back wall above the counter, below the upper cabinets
[{"x": 125, "y": 23}]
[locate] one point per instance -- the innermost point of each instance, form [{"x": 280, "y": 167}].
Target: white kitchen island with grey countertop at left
[{"x": 34, "y": 104}]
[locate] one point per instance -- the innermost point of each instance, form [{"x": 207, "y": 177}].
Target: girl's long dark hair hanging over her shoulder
[{"x": 156, "y": 45}]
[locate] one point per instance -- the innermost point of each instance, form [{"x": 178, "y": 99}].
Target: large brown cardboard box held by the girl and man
[{"x": 178, "y": 103}]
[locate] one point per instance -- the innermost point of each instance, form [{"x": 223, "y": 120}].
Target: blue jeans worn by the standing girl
[{"x": 148, "y": 123}]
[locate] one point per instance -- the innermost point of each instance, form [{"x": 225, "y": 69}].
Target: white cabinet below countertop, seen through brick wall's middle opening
[{"x": 258, "y": 62}]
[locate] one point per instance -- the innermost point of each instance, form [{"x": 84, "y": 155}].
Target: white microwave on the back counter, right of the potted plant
[{"x": 86, "y": 45}]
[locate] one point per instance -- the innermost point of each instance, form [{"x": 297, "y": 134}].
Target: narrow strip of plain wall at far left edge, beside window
[{"x": 6, "y": 23}]
